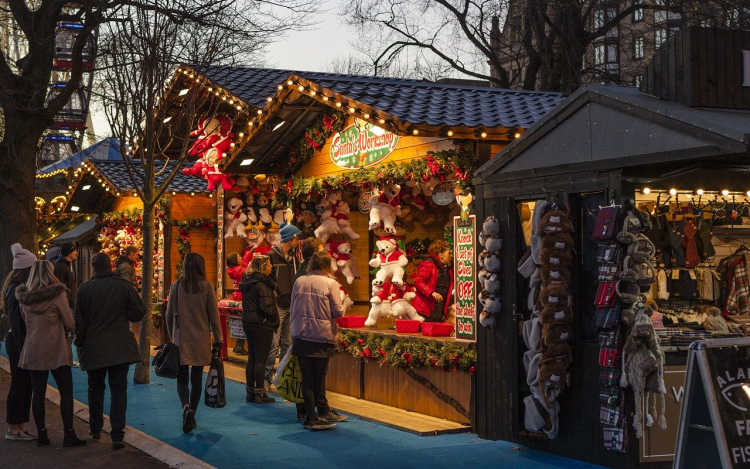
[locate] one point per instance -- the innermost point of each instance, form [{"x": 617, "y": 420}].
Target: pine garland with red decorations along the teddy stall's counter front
[{"x": 446, "y": 356}]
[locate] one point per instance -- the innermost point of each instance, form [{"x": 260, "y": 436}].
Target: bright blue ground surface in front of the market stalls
[{"x": 268, "y": 436}]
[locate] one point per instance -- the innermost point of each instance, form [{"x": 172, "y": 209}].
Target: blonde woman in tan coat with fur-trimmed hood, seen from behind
[{"x": 45, "y": 309}]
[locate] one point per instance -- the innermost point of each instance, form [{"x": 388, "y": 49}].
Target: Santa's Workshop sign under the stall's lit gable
[{"x": 361, "y": 145}]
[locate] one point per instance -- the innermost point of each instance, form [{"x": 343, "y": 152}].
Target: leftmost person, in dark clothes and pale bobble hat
[{"x": 18, "y": 402}]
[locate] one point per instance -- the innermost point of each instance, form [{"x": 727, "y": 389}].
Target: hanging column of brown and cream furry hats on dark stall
[{"x": 548, "y": 332}]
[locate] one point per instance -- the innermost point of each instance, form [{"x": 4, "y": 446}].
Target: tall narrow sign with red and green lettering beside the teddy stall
[{"x": 464, "y": 268}]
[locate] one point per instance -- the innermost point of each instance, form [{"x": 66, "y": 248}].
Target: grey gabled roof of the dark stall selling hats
[{"x": 601, "y": 127}]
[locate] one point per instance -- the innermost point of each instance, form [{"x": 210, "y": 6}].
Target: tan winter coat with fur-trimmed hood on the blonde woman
[{"x": 48, "y": 318}]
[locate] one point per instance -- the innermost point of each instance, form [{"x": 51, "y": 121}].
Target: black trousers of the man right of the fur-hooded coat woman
[{"x": 118, "y": 391}]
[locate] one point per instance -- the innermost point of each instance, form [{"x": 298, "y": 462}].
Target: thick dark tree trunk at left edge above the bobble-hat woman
[{"x": 17, "y": 211}]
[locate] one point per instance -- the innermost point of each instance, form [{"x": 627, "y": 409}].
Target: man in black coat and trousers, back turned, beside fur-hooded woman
[{"x": 104, "y": 306}]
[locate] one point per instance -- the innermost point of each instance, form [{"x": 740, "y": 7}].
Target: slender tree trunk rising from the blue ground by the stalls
[{"x": 141, "y": 373}]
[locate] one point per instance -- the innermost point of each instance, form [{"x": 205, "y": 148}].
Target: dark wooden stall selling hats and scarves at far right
[{"x": 678, "y": 152}]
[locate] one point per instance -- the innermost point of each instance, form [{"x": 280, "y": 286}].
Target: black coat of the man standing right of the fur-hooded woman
[{"x": 105, "y": 306}]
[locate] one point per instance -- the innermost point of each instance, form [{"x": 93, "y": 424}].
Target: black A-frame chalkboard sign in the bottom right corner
[{"x": 714, "y": 426}]
